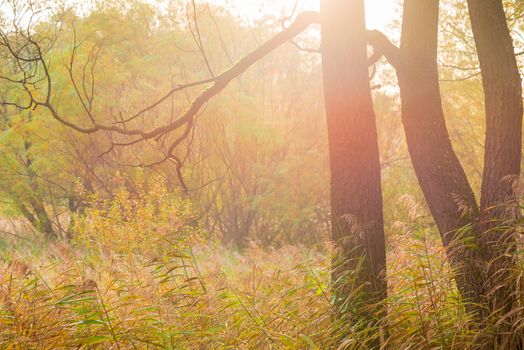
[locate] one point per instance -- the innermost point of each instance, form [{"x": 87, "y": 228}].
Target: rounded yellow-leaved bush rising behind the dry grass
[{"x": 149, "y": 219}]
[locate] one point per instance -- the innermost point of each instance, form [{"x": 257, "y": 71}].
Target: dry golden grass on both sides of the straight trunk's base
[{"x": 211, "y": 298}]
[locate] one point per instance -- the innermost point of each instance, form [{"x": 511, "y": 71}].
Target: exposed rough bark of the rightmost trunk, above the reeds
[{"x": 503, "y": 98}]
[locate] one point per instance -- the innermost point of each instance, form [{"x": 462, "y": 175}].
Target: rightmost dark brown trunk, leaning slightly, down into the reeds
[{"x": 503, "y": 150}]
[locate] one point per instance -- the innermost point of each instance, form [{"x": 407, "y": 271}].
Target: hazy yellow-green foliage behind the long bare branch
[{"x": 250, "y": 145}]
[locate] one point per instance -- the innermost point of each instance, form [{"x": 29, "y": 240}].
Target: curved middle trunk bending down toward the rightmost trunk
[{"x": 441, "y": 176}]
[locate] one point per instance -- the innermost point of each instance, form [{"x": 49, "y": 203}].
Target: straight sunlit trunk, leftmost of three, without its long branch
[{"x": 356, "y": 197}]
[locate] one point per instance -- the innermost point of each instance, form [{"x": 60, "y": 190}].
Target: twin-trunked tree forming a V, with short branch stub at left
[{"x": 477, "y": 251}]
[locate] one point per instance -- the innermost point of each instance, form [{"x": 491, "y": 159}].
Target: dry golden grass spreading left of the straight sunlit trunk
[{"x": 191, "y": 299}]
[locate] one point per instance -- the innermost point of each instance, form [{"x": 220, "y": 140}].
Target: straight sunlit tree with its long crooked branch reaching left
[{"x": 356, "y": 190}]
